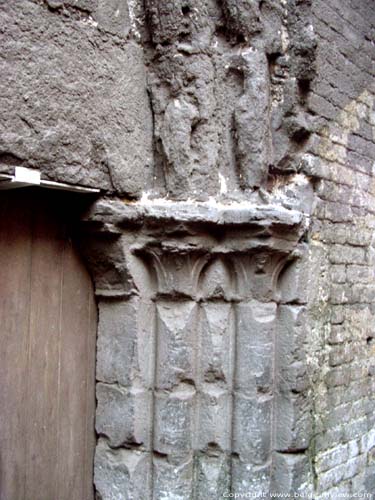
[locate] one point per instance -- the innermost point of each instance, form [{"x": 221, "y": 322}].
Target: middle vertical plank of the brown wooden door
[{"x": 43, "y": 363}]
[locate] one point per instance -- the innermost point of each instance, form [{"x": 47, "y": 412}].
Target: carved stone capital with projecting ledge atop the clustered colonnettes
[{"x": 181, "y": 242}]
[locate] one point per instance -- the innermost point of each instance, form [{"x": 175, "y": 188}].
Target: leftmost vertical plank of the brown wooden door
[{"x": 15, "y": 252}]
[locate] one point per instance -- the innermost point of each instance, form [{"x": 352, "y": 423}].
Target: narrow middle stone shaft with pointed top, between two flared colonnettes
[{"x": 214, "y": 383}]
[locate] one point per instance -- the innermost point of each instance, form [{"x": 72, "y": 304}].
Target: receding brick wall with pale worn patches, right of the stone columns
[{"x": 341, "y": 161}]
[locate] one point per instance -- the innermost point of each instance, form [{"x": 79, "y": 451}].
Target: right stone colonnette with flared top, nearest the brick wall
[{"x": 254, "y": 373}]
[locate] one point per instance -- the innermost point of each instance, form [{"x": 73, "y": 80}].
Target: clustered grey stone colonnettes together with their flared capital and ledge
[{"x": 201, "y": 383}]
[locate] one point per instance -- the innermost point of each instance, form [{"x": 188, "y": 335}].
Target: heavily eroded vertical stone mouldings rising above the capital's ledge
[{"x": 202, "y": 95}]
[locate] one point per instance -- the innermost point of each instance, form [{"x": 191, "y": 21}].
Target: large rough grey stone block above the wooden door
[{"x": 82, "y": 109}]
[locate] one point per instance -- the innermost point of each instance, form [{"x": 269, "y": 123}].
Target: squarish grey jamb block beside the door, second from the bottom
[{"x": 124, "y": 415}]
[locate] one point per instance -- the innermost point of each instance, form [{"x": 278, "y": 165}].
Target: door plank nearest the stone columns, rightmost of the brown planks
[{"x": 77, "y": 391}]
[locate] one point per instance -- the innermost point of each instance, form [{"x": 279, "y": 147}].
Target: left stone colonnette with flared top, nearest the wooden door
[{"x": 176, "y": 359}]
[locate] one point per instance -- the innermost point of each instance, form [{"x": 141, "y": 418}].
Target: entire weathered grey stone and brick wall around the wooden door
[{"x": 231, "y": 249}]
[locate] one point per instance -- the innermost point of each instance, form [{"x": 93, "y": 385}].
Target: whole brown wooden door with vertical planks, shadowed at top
[{"x": 47, "y": 354}]
